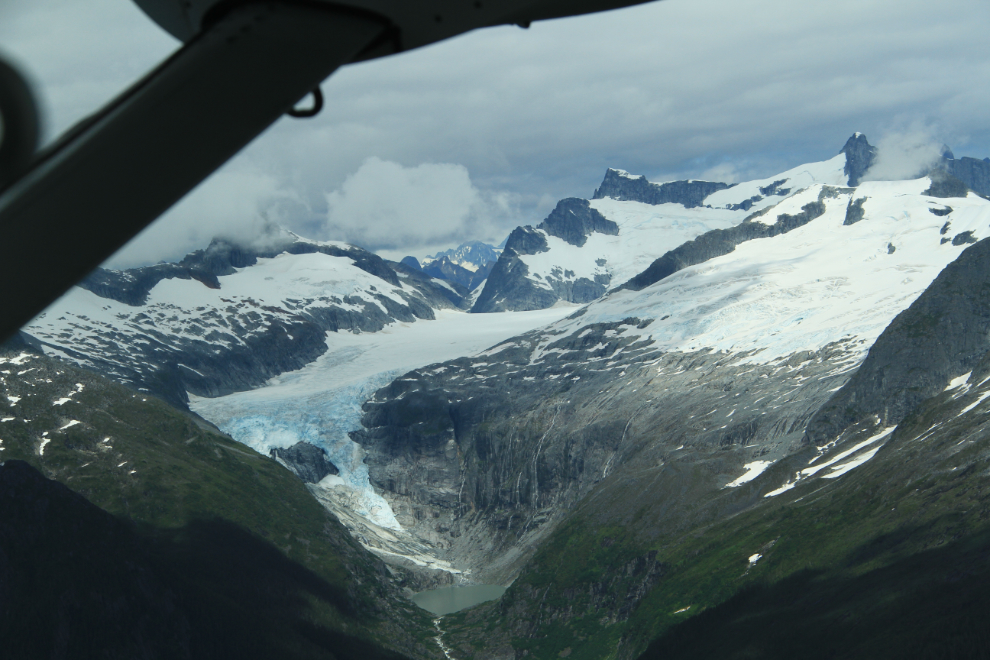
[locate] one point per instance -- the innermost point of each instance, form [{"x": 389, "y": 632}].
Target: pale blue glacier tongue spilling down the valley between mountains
[{"x": 321, "y": 403}]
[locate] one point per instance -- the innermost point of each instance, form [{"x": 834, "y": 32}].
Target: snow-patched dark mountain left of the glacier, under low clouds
[{"x": 229, "y": 317}]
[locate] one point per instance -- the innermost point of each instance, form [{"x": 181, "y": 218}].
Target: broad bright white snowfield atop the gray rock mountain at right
[{"x": 817, "y": 284}]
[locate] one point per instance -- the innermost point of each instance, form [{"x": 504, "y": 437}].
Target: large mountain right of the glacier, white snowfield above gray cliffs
[{"x": 718, "y": 356}]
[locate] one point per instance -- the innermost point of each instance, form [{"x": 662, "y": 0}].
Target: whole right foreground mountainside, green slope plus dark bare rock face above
[{"x": 887, "y": 559}]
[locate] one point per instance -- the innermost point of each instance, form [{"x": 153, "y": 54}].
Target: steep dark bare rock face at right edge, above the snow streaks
[{"x": 945, "y": 332}]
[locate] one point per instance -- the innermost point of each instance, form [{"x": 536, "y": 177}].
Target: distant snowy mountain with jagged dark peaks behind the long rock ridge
[{"x": 585, "y": 248}]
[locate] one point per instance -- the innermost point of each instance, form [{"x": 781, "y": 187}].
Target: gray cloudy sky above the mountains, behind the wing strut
[{"x": 468, "y": 138}]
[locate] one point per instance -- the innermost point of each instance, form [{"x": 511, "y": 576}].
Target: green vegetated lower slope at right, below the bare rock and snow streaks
[{"x": 890, "y": 560}]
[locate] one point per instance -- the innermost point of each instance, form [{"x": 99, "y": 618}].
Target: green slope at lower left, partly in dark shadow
[{"x": 170, "y": 540}]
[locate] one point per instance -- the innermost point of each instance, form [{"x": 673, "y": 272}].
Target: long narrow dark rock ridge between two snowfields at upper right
[{"x": 719, "y": 242}]
